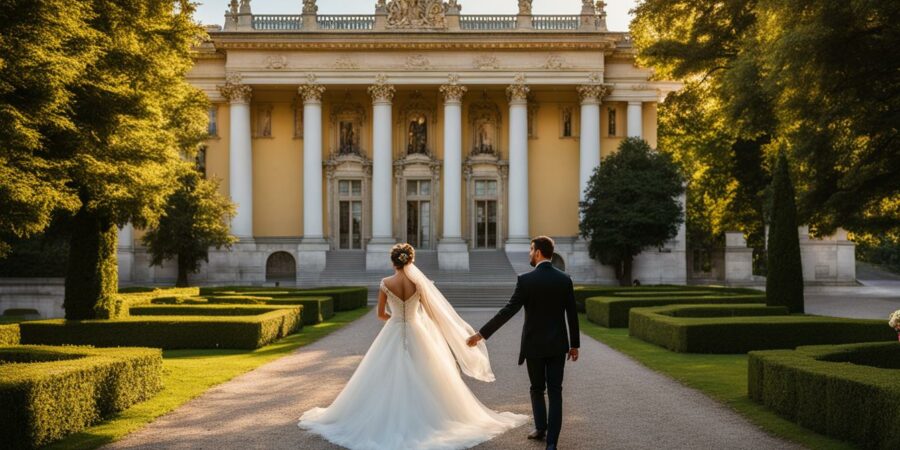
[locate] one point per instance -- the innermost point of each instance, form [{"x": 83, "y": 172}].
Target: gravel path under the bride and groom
[{"x": 609, "y": 401}]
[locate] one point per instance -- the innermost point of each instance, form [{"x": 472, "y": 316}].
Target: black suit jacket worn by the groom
[{"x": 548, "y": 297}]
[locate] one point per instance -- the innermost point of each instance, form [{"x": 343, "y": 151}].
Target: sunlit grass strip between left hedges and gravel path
[{"x": 188, "y": 373}]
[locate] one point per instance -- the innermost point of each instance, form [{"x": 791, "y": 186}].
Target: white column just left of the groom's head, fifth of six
[{"x": 519, "y": 238}]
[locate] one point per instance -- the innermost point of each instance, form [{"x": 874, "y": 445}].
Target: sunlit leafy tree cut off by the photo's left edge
[{"x": 45, "y": 46}]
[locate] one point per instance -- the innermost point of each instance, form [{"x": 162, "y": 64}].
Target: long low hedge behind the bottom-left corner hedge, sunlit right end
[{"x": 170, "y": 332}]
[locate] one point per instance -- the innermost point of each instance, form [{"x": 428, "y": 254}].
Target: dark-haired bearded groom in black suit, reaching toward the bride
[{"x": 549, "y": 301}]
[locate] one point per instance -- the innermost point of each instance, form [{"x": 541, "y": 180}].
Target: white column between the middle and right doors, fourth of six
[{"x": 453, "y": 253}]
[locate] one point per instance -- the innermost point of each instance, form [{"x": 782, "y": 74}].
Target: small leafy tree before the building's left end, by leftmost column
[{"x": 196, "y": 218}]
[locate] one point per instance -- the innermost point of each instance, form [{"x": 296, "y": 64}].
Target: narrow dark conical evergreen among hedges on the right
[{"x": 784, "y": 282}]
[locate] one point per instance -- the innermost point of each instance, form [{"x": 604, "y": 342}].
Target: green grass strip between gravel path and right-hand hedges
[{"x": 722, "y": 377}]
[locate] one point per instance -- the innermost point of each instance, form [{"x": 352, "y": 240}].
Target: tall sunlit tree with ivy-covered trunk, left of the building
[{"x": 134, "y": 115}]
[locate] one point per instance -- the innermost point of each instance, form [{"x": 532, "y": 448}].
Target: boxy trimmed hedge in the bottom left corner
[{"x": 49, "y": 392}]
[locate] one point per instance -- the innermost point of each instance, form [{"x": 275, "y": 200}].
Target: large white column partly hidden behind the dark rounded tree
[{"x": 589, "y": 144}]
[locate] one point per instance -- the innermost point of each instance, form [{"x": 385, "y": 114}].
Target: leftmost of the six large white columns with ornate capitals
[{"x": 240, "y": 158}]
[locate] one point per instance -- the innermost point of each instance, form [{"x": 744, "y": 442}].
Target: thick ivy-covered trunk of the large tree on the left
[{"x": 92, "y": 274}]
